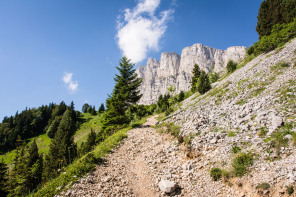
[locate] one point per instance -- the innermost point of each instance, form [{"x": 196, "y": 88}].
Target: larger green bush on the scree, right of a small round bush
[{"x": 241, "y": 163}]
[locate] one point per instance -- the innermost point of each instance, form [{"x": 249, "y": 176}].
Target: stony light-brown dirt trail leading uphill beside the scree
[{"x": 126, "y": 172}]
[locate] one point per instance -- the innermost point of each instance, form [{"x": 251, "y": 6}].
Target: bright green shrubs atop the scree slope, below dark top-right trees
[{"x": 280, "y": 35}]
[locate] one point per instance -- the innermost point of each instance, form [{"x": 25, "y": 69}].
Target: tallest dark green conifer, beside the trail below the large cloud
[{"x": 124, "y": 95}]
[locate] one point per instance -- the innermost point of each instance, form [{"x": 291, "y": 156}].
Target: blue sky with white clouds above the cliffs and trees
[{"x": 64, "y": 50}]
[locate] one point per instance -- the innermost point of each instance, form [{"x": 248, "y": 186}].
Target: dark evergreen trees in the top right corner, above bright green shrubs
[{"x": 272, "y": 13}]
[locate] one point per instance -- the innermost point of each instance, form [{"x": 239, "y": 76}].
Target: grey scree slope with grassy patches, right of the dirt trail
[{"x": 252, "y": 111}]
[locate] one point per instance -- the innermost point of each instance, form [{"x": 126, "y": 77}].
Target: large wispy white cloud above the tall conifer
[{"x": 141, "y": 28}]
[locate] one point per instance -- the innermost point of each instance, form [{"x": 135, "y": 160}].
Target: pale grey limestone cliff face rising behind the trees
[{"x": 175, "y": 70}]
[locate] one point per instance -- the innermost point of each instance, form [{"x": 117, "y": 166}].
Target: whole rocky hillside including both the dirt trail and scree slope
[{"x": 244, "y": 127}]
